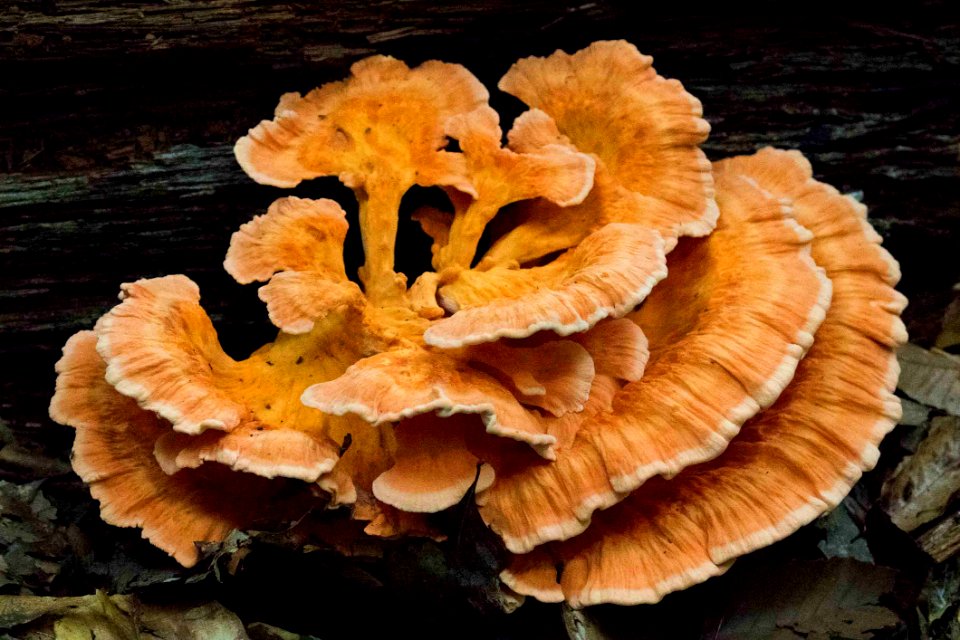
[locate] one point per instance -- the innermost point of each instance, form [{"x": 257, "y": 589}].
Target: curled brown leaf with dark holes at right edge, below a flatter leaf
[{"x": 923, "y": 484}]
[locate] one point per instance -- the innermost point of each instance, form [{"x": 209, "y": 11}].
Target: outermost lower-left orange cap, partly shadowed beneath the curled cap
[{"x": 113, "y": 452}]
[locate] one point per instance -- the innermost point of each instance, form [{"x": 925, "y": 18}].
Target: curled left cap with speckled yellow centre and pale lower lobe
[{"x": 162, "y": 350}]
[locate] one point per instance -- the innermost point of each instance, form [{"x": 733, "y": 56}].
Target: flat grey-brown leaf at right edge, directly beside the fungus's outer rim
[{"x": 930, "y": 377}]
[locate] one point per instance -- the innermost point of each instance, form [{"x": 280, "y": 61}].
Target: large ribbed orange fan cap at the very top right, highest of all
[{"x": 608, "y": 100}]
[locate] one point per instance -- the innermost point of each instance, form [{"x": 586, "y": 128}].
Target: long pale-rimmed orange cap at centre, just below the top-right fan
[{"x": 607, "y": 275}]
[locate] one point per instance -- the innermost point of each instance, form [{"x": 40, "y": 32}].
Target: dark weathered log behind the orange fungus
[{"x": 117, "y": 122}]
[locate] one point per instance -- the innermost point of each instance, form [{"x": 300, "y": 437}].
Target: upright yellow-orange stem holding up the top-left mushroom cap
[{"x": 379, "y": 211}]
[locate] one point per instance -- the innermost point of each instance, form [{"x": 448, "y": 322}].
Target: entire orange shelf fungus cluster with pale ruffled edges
[{"x": 656, "y": 364}]
